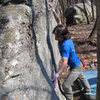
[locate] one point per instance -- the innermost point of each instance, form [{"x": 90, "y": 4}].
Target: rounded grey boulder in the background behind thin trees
[{"x": 75, "y": 13}]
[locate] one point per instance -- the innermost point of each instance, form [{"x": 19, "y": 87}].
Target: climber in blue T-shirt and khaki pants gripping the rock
[{"x": 69, "y": 56}]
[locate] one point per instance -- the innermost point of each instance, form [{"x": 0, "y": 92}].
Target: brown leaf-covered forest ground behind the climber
[{"x": 85, "y": 49}]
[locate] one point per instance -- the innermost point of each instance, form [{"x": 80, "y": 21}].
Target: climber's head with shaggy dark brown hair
[{"x": 61, "y": 32}]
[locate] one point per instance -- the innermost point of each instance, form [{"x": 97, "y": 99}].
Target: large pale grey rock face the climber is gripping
[{"x": 28, "y": 51}]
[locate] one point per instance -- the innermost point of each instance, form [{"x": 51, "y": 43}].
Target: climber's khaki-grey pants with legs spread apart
[{"x": 73, "y": 75}]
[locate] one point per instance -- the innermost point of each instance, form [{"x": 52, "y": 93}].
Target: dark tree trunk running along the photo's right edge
[{"x": 98, "y": 49}]
